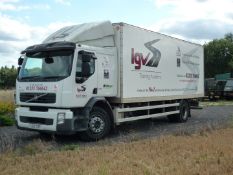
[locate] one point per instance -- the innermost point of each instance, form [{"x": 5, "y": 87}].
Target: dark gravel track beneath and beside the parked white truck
[{"x": 207, "y": 118}]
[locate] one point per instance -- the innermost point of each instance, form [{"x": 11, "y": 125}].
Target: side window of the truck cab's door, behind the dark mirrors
[{"x": 85, "y": 66}]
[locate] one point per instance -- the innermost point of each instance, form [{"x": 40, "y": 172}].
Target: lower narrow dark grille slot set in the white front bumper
[{"x": 35, "y": 120}]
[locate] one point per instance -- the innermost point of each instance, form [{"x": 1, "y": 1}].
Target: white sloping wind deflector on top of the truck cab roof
[{"x": 94, "y": 34}]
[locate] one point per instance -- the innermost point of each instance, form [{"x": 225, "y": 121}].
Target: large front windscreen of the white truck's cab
[{"x": 53, "y": 65}]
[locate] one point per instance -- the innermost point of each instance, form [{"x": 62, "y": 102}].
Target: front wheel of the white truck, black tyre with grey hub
[{"x": 98, "y": 126}]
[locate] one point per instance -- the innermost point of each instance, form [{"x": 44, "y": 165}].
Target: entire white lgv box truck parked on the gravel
[{"x": 91, "y": 77}]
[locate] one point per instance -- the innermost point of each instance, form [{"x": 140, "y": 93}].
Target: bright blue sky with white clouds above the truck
[{"x": 28, "y": 22}]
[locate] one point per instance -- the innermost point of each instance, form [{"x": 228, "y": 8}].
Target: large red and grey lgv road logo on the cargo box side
[{"x": 139, "y": 59}]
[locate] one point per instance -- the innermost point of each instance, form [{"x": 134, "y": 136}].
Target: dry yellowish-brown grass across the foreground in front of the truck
[{"x": 211, "y": 153}]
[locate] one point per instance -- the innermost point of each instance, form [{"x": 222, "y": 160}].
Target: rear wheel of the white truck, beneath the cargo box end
[{"x": 183, "y": 115}]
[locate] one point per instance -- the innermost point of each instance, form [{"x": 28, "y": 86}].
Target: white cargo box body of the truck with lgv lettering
[{"x": 153, "y": 66}]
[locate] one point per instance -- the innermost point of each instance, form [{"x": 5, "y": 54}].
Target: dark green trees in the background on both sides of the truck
[{"x": 218, "y": 58}]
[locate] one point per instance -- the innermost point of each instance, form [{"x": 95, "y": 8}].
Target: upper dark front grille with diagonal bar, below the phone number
[{"x": 38, "y": 97}]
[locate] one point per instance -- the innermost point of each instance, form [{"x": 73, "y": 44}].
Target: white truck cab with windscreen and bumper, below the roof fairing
[{"x": 57, "y": 83}]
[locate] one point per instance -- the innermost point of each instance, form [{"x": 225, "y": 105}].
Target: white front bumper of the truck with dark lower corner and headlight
[{"x": 47, "y": 121}]
